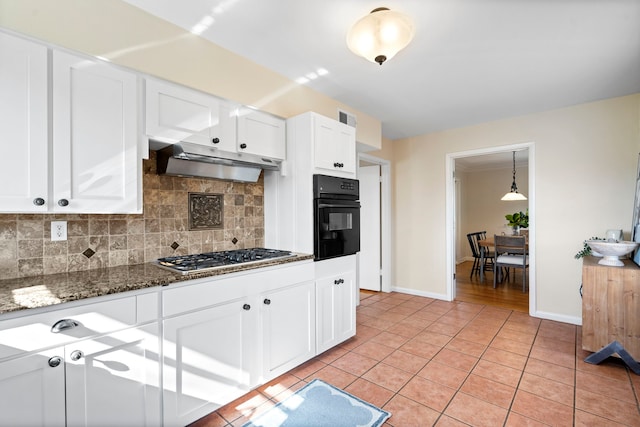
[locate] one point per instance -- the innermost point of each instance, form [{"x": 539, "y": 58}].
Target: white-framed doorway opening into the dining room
[{"x": 475, "y": 183}]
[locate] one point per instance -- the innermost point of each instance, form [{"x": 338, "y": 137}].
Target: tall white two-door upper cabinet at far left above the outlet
[{"x": 92, "y": 163}]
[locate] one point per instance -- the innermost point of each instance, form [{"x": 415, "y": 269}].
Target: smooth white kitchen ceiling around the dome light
[{"x": 471, "y": 61}]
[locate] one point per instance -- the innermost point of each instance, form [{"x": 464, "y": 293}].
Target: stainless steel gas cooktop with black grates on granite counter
[{"x": 186, "y": 264}]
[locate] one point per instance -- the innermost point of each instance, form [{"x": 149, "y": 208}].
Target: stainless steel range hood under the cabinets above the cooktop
[{"x": 196, "y": 160}]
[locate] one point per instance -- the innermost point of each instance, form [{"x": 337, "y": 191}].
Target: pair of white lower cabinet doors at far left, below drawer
[{"x": 113, "y": 379}]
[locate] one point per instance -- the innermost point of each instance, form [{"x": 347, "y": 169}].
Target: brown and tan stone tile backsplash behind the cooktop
[{"x": 26, "y": 248}]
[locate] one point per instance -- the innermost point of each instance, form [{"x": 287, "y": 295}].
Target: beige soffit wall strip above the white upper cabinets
[{"x": 132, "y": 38}]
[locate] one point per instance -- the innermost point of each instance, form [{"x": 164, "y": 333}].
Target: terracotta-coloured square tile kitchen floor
[{"x": 431, "y": 362}]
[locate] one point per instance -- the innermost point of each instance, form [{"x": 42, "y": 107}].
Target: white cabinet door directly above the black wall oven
[{"x": 334, "y": 147}]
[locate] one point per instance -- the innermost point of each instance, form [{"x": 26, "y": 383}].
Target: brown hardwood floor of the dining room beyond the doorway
[{"x": 507, "y": 294}]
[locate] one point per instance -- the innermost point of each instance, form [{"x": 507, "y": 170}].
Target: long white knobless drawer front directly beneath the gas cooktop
[{"x": 206, "y": 292}]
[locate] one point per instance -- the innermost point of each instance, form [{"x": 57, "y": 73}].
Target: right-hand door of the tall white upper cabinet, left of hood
[{"x": 95, "y": 155}]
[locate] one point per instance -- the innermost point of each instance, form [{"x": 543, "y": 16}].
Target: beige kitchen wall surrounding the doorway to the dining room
[{"x": 585, "y": 166}]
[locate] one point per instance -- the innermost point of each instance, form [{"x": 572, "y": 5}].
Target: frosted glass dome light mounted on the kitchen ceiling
[{"x": 380, "y": 35}]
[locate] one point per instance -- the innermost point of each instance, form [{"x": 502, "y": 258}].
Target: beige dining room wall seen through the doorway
[{"x": 480, "y": 206}]
